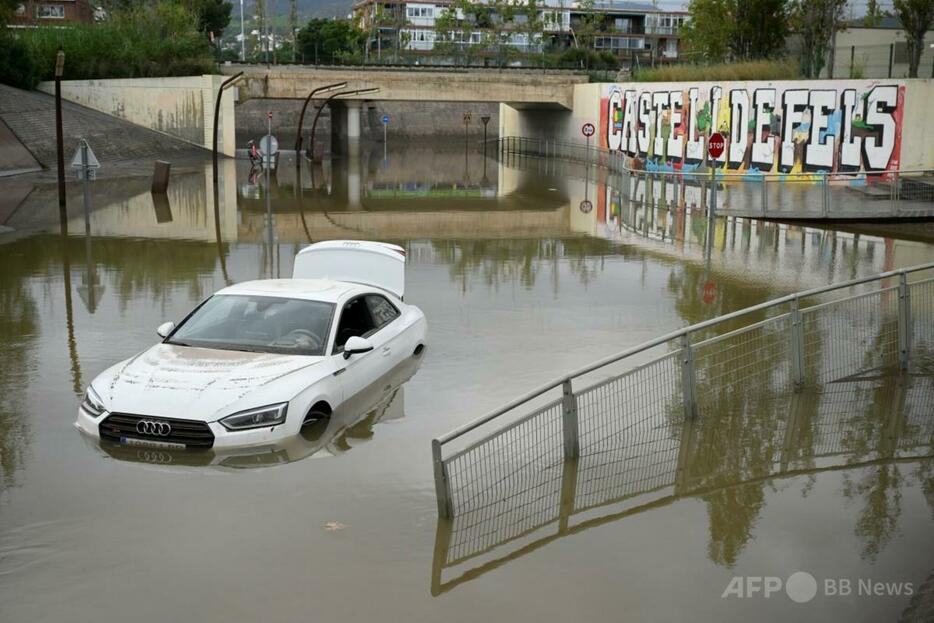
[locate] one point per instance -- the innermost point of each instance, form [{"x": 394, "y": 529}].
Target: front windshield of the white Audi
[{"x": 262, "y": 324}]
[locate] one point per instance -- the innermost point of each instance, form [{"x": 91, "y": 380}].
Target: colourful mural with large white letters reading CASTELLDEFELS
[{"x": 845, "y": 126}]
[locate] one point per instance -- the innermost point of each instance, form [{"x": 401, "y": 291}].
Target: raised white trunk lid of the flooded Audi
[{"x": 378, "y": 264}]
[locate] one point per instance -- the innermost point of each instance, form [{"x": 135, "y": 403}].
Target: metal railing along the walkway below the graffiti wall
[{"x": 837, "y": 195}]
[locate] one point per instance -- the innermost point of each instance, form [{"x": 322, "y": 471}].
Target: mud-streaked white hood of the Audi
[{"x": 198, "y": 383}]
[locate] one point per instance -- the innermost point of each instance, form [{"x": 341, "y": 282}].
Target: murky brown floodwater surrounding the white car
[{"x": 524, "y": 273}]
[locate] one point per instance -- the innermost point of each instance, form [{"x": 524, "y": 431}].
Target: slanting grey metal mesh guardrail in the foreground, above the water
[{"x": 780, "y": 345}]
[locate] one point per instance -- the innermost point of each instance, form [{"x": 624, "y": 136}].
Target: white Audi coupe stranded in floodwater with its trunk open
[{"x": 257, "y": 361}]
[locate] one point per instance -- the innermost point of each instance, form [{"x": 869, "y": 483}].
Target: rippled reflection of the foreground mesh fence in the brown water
[{"x": 878, "y": 433}]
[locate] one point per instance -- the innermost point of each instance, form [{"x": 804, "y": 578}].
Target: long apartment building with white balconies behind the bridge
[{"x": 631, "y": 31}]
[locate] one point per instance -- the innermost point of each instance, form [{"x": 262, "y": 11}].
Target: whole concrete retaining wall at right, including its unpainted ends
[{"x": 776, "y": 127}]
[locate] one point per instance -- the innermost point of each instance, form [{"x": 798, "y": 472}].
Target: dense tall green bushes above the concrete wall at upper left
[{"x": 146, "y": 40}]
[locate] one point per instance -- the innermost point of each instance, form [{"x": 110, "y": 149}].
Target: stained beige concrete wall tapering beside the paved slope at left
[{"x": 180, "y": 107}]
